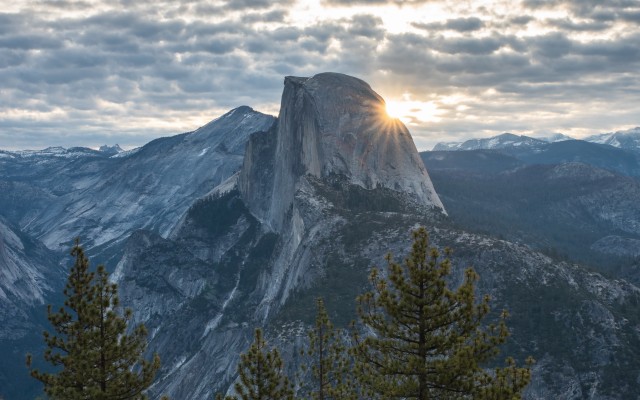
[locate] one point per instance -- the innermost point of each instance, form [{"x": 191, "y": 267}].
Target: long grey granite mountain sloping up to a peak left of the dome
[{"x": 58, "y": 194}]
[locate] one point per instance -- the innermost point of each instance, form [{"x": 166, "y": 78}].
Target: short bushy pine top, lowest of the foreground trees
[{"x": 261, "y": 374}]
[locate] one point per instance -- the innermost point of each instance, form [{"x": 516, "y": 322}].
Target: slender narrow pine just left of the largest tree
[{"x": 330, "y": 365}]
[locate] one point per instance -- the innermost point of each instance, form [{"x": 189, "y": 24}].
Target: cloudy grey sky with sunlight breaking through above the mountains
[{"x": 91, "y": 72}]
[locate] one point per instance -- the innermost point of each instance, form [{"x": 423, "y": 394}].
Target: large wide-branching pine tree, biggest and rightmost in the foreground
[{"x": 427, "y": 341}]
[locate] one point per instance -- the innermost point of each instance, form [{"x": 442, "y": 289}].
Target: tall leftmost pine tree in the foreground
[{"x": 94, "y": 356}]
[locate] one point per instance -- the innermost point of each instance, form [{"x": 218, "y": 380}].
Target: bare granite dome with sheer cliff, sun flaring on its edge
[{"x": 330, "y": 125}]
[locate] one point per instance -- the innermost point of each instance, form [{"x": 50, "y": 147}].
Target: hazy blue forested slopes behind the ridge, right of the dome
[{"x": 571, "y": 209}]
